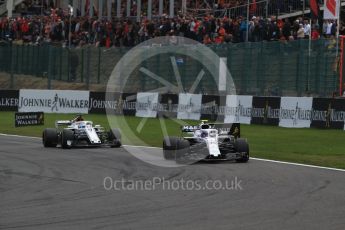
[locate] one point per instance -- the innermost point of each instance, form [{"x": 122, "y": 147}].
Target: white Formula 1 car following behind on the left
[{"x": 80, "y": 133}]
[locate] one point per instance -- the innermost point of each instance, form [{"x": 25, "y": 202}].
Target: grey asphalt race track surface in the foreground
[{"x": 63, "y": 189}]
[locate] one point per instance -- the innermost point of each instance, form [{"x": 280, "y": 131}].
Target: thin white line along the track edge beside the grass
[{"x": 252, "y": 158}]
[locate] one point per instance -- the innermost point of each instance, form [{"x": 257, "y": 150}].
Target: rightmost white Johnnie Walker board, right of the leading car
[{"x": 295, "y": 112}]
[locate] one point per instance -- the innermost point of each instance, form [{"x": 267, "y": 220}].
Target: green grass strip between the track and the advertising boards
[{"x": 310, "y": 146}]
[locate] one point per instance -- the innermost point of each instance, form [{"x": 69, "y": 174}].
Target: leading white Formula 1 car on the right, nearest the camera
[{"x": 207, "y": 142}]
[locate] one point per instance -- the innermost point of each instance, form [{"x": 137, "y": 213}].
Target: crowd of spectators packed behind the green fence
[{"x": 54, "y": 27}]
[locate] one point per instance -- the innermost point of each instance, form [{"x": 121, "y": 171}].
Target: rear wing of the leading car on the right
[{"x": 223, "y": 128}]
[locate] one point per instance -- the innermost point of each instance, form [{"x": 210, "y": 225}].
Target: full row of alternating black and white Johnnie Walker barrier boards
[{"x": 290, "y": 112}]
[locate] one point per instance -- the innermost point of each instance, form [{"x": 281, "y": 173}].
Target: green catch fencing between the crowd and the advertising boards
[{"x": 277, "y": 68}]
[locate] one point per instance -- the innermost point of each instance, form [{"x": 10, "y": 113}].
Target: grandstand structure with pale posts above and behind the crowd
[{"x": 156, "y": 8}]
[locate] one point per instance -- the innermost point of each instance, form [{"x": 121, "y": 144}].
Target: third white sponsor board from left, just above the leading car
[{"x": 189, "y": 106}]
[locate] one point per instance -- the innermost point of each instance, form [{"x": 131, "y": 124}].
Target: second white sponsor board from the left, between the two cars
[{"x": 147, "y": 105}]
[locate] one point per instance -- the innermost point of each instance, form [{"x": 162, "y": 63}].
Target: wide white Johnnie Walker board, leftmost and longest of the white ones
[{"x": 53, "y": 101}]
